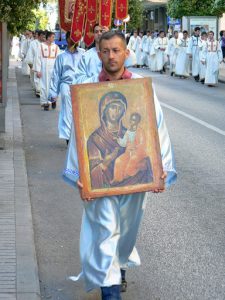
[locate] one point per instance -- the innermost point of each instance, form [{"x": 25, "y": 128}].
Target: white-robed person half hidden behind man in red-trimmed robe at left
[{"x": 30, "y": 57}]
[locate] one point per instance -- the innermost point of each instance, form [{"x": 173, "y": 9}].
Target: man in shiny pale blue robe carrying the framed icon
[{"x": 106, "y": 244}]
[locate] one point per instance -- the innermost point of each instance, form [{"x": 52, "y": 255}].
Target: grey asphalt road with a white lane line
[{"x": 182, "y": 238}]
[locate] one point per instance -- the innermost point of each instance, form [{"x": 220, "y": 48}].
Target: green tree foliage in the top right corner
[{"x": 180, "y": 8}]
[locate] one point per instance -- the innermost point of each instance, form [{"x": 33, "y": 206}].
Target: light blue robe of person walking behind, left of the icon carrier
[{"x": 63, "y": 75}]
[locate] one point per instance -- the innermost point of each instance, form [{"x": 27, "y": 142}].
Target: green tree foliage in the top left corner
[{"x": 18, "y": 14}]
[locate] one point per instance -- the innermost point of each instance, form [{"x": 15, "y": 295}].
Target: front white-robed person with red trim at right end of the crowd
[{"x": 212, "y": 57}]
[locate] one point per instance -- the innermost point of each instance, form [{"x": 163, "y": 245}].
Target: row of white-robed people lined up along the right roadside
[{"x": 199, "y": 54}]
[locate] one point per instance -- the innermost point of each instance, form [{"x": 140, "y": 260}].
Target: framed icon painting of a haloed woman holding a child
[{"x": 117, "y": 138}]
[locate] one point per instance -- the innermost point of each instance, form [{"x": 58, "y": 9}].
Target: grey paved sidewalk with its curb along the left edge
[{"x": 18, "y": 265}]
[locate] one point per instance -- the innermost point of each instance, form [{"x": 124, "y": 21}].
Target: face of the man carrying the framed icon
[{"x": 113, "y": 54}]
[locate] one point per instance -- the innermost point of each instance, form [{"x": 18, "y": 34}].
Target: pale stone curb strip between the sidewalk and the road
[{"x": 27, "y": 279}]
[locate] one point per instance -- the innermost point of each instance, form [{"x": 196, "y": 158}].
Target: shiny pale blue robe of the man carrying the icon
[{"x": 110, "y": 224}]
